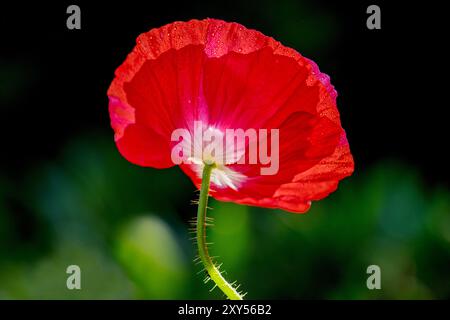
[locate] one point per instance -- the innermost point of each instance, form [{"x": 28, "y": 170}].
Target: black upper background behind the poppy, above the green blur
[{"x": 390, "y": 98}]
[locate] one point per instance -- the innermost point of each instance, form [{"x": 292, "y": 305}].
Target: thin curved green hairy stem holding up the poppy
[{"x": 209, "y": 265}]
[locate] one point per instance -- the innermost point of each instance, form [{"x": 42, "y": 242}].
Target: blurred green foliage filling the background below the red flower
[{"x": 127, "y": 228}]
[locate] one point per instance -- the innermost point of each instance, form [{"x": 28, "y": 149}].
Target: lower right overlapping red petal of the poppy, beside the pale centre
[{"x": 313, "y": 158}]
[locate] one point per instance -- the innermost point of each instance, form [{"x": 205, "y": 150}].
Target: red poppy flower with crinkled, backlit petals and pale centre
[{"x": 230, "y": 77}]
